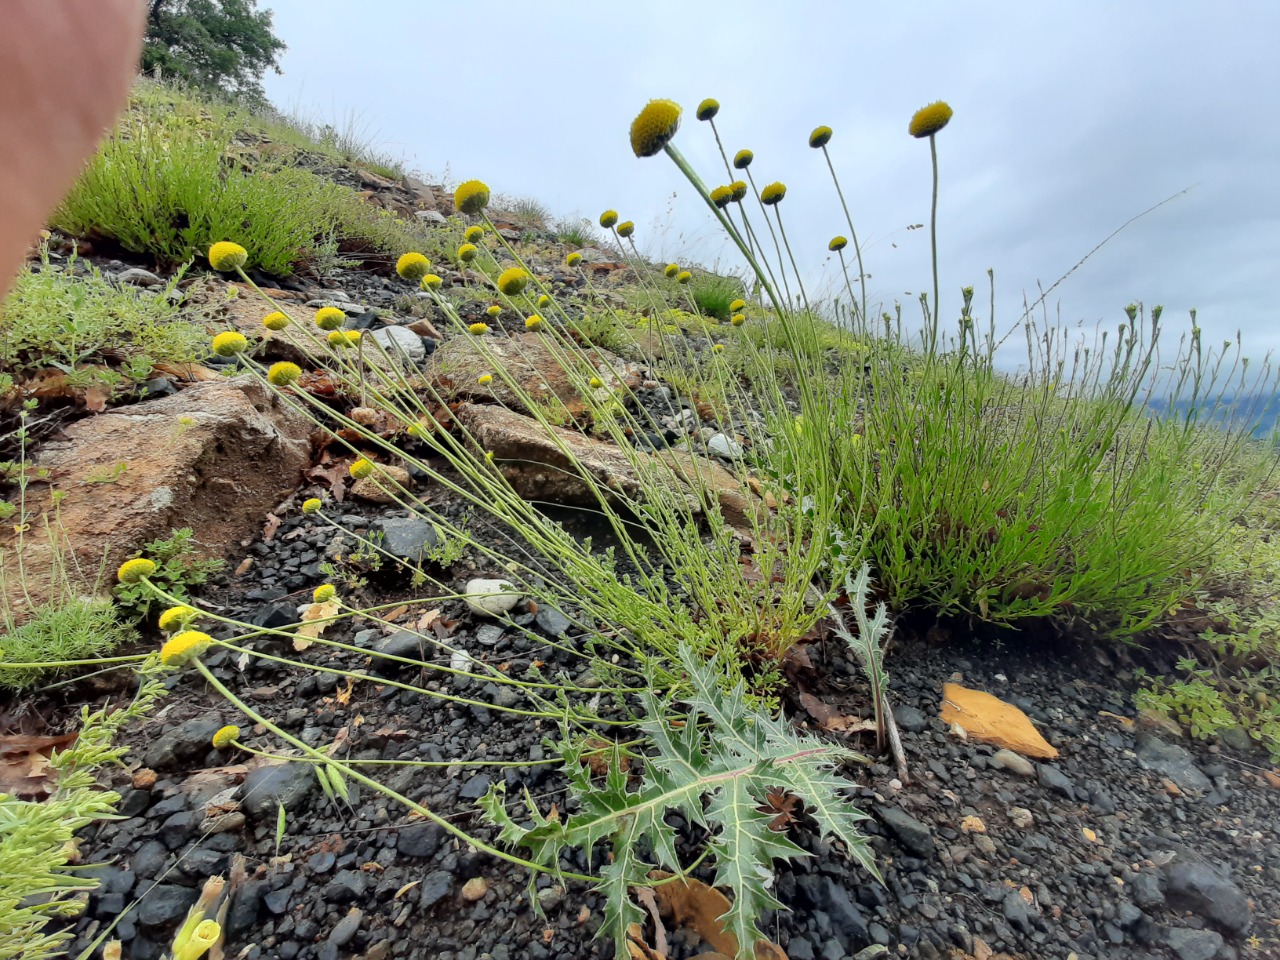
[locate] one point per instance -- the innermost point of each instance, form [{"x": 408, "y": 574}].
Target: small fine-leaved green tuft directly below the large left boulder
[{"x": 76, "y": 629}]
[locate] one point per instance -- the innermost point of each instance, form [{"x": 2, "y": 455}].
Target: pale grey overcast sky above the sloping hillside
[{"x": 1069, "y": 120}]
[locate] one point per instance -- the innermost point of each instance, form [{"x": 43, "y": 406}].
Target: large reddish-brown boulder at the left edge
[{"x": 217, "y": 458}]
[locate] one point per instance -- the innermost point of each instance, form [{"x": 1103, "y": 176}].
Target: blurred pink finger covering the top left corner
[{"x": 66, "y": 68}]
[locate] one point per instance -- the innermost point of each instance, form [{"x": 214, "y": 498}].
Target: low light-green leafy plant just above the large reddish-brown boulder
[{"x": 92, "y": 328}]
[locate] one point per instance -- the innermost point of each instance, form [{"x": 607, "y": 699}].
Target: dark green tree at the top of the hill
[{"x": 218, "y": 45}]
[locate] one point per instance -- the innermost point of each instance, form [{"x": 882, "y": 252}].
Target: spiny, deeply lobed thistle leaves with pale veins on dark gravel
[{"x": 715, "y": 769}]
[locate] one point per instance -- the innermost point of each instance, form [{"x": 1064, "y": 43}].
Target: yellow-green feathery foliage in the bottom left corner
[{"x": 38, "y": 883}]
